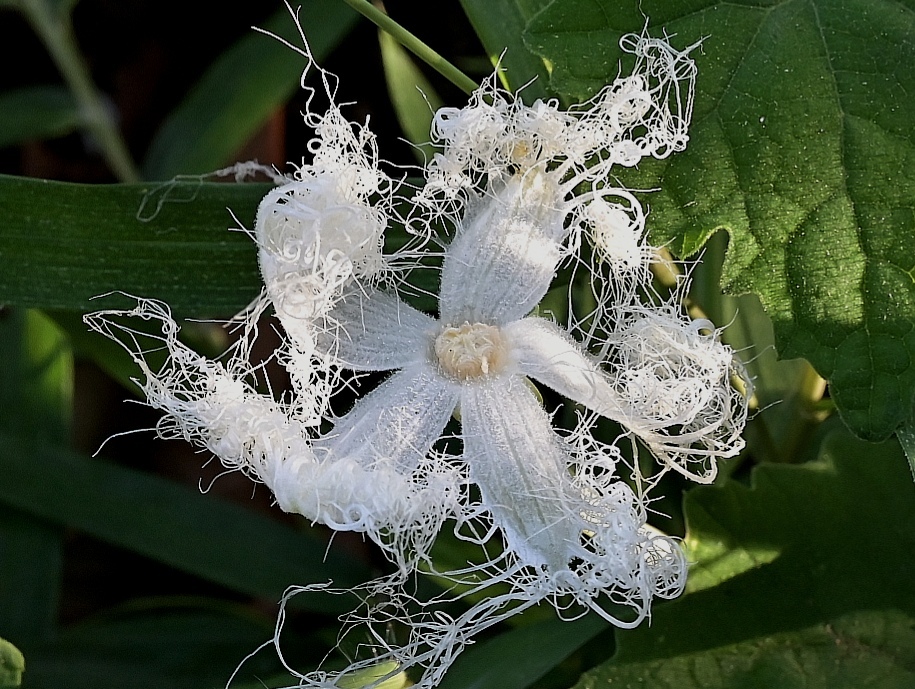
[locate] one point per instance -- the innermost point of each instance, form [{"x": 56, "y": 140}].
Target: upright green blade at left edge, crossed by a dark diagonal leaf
[{"x": 36, "y": 391}]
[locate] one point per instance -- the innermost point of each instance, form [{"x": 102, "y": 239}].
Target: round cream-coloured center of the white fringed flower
[{"x": 471, "y": 350}]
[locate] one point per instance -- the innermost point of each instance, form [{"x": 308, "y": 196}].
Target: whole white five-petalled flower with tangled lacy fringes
[{"x": 558, "y": 517}]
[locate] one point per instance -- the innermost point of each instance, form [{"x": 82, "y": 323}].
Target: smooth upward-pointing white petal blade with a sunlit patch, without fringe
[{"x": 505, "y": 255}]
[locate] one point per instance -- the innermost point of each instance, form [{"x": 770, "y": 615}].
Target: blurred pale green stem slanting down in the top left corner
[{"x": 55, "y": 29}]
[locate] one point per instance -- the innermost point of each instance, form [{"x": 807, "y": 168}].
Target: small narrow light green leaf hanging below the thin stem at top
[{"x": 412, "y": 95}]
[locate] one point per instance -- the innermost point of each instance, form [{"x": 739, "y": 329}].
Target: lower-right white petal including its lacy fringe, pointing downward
[{"x": 572, "y": 527}]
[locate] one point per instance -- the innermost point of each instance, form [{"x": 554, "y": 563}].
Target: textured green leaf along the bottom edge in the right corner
[{"x": 865, "y": 649}]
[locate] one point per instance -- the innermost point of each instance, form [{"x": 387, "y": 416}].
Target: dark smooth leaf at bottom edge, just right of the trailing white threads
[{"x": 520, "y": 657}]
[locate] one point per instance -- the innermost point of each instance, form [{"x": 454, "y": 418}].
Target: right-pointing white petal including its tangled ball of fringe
[{"x": 687, "y": 430}]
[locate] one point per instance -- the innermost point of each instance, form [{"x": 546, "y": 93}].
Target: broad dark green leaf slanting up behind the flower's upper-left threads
[{"x": 241, "y": 90}]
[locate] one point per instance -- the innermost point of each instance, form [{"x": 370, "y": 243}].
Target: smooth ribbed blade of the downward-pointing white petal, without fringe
[{"x": 521, "y": 469}]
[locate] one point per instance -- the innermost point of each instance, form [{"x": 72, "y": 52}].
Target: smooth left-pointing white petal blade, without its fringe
[{"x": 377, "y": 332}]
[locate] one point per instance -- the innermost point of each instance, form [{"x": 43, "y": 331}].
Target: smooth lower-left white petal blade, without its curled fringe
[{"x": 396, "y": 424}]
